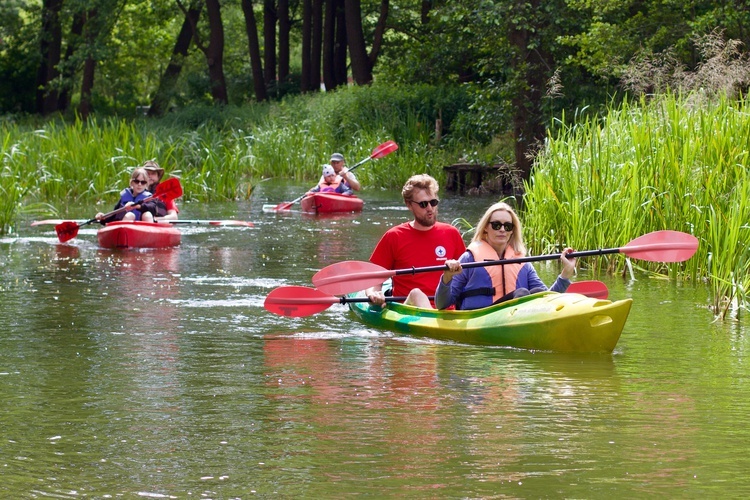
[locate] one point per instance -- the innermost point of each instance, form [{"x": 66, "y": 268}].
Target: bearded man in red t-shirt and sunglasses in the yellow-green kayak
[{"x": 421, "y": 242}]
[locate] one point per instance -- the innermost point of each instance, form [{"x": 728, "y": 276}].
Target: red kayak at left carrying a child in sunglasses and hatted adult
[{"x": 138, "y": 235}]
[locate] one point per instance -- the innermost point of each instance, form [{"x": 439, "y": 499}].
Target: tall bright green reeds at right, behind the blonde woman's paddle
[{"x": 675, "y": 162}]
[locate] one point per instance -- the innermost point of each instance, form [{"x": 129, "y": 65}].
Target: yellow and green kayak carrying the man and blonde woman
[{"x": 547, "y": 321}]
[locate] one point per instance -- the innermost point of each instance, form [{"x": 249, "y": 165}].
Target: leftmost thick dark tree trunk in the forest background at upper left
[{"x": 50, "y": 50}]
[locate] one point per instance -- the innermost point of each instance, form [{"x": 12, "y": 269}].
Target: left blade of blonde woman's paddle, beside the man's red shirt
[{"x": 350, "y": 276}]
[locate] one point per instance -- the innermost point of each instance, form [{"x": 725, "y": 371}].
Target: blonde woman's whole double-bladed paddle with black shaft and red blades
[{"x": 351, "y": 276}]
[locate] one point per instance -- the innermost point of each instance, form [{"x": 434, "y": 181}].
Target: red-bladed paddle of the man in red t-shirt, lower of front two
[{"x": 300, "y": 301}]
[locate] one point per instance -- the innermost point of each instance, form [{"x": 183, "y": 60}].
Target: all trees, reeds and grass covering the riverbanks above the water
[{"x": 611, "y": 123}]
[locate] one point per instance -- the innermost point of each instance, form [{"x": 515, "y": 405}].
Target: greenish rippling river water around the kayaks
[{"x": 159, "y": 374}]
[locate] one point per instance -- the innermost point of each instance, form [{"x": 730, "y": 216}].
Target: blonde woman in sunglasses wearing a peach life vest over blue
[{"x": 498, "y": 235}]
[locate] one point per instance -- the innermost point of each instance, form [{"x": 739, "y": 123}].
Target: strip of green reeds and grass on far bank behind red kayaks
[{"x": 221, "y": 153}]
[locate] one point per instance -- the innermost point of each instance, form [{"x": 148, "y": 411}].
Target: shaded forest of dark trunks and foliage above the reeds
[{"x": 505, "y": 69}]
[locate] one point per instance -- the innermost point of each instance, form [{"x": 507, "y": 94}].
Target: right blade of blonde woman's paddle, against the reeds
[{"x": 662, "y": 246}]
